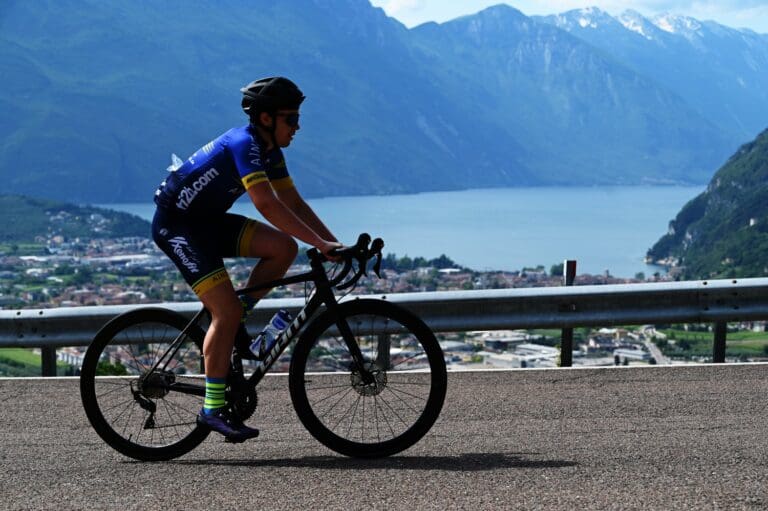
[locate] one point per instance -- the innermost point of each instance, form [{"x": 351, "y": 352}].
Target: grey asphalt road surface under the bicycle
[{"x": 613, "y": 438}]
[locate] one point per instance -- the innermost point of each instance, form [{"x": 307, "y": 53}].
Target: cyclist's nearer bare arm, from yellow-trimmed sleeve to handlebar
[{"x": 279, "y": 215}]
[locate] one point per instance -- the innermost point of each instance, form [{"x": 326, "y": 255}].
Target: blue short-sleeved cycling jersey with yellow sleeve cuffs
[{"x": 212, "y": 179}]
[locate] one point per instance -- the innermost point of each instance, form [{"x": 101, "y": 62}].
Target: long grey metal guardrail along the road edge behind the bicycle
[{"x": 713, "y": 301}]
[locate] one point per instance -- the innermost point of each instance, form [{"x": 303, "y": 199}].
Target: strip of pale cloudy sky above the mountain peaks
[{"x": 752, "y": 14}]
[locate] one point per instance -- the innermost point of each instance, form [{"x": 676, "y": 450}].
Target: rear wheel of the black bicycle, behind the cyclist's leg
[{"x": 113, "y": 393}]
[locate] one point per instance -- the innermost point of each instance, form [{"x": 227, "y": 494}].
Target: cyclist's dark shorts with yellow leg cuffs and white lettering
[{"x": 198, "y": 246}]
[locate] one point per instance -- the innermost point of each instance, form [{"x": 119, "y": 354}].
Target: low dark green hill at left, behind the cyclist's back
[{"x": 26, "y": 220}]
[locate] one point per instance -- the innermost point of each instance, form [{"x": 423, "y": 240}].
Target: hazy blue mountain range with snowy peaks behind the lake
[{"x": 98, "y": 94}]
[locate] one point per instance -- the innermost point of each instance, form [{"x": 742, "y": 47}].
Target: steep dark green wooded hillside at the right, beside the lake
[{"x": 723, "y": 232}]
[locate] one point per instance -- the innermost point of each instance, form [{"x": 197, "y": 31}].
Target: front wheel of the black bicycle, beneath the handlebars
[{"x": 402, "y": 403}]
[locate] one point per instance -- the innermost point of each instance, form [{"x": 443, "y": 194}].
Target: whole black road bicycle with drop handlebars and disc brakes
[{"x": 367, "y": 378}]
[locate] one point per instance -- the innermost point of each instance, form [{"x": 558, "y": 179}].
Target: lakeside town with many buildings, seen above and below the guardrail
[{"x": 59, "y": 272}]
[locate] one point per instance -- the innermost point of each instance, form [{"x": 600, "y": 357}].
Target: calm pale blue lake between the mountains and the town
[{"x": 602, "y": 228}]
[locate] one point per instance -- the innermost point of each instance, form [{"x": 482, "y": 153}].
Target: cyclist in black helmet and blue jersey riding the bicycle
[{"x": 192, "y": 226}]
